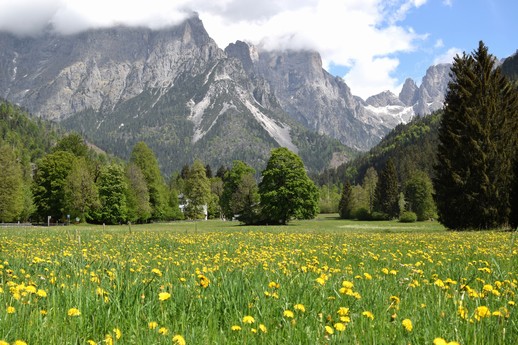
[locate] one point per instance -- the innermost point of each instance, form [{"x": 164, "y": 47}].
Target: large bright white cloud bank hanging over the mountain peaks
[{"x": 364, "y": 36}]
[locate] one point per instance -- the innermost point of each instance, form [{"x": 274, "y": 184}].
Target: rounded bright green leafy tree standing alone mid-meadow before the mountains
[{"x": 286, "y": 190}]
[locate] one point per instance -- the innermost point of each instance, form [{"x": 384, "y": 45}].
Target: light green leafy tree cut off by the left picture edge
[{"x": 11, "y": 185}]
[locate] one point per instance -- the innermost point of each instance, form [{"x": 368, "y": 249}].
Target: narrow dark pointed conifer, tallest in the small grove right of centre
[{"x": 386, "y": 194}]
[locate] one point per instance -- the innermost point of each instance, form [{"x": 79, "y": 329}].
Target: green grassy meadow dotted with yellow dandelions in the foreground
[{"x": 214, "y": 283}]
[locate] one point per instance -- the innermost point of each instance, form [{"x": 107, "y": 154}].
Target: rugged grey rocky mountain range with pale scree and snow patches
[{"x": 176, "y": 90}]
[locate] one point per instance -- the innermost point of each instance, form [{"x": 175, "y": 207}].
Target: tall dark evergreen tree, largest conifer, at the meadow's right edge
[{"x": 477, "y": 141}]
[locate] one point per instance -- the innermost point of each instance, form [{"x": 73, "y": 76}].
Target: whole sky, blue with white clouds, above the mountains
[{"x": 373, "y": 44}]
